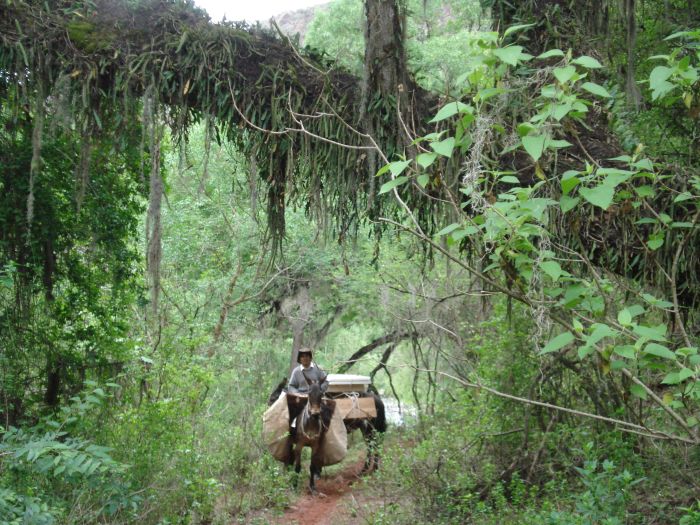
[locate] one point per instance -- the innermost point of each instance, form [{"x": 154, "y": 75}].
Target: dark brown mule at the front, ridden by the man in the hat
[{"x": 310, "y": 428}]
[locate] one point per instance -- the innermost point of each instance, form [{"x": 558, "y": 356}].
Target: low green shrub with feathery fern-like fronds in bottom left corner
[{"x": 56, "y": 476}]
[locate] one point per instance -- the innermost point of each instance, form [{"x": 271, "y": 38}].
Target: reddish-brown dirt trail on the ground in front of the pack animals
[{"x": 326, "y": 507}]
